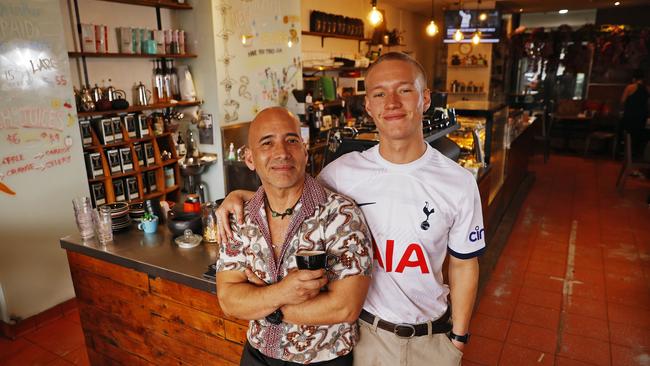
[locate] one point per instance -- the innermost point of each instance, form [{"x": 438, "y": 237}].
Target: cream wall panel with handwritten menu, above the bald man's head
[{"x": 259, "y": 55}]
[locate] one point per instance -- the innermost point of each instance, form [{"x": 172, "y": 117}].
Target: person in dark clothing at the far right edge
[{"x": 635, "y": 112}]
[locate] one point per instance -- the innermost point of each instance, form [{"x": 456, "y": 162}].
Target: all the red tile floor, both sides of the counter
[{"x": 572, "y": 286}]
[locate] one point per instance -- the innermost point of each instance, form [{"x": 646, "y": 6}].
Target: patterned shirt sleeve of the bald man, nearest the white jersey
[{"x": 348, "y": 241}]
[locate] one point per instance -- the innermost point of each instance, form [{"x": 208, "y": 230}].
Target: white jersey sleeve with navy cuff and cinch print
[{"x": 467, "y": 234}]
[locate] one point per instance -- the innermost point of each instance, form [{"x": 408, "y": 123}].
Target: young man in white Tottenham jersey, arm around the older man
[{"x": 420, "y": 206}]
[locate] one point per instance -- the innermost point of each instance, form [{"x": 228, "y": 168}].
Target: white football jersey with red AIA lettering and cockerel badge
[{"x": 417, "y": 213}]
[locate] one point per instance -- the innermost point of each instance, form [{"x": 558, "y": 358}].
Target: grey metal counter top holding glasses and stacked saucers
[{"x": 155, "y": 254}]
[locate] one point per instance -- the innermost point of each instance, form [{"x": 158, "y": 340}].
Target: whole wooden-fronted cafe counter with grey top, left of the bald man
[{"x": 143, "y": 300}]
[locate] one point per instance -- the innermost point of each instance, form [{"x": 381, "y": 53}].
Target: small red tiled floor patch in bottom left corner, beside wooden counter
[{"x": 59, "y": 342}]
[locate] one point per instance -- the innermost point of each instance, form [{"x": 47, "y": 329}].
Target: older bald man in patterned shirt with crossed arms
[{"x": 291, "y": 320}]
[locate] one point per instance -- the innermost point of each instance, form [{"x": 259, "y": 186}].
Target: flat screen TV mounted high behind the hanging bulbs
[{"x": 468, "y": 22}]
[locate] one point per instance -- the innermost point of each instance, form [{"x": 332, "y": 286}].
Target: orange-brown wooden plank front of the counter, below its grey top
[{"x": 131, "y": 318}]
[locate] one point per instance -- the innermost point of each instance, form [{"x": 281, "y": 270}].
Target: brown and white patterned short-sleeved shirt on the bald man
[{"x": 323, "y": 220}]
